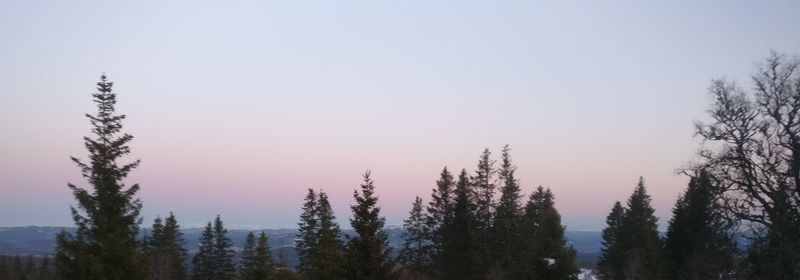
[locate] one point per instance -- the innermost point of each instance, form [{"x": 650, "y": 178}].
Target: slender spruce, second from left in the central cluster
[{"x": 440, "y": 213}]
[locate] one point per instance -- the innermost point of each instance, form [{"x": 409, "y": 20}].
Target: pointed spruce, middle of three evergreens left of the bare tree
[{"x": 639, "y": 240}]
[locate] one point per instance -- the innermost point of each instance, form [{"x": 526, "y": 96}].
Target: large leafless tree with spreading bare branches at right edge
[{"x": 756, "y": 157}]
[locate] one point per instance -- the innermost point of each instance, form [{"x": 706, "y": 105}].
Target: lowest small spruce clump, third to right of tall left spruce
[{"x": 256, "y": 261}]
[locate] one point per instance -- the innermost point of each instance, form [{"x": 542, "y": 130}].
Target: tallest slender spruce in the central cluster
[{"x": 506, "y": 230}]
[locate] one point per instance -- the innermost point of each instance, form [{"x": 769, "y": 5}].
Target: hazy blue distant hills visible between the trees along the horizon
[{"x": 34, "y": 240}]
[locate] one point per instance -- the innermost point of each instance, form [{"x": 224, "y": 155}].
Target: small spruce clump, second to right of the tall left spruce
[{"x": 214, "y": 260}]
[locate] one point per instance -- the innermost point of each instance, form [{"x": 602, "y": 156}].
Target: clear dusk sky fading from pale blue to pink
[{"x": 237, "y": 107}]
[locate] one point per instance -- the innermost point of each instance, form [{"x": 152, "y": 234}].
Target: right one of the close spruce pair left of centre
[{"x": 329, "y": 250}]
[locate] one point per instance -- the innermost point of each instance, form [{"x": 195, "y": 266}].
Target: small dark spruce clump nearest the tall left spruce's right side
[{"x": 164, "y": 249}]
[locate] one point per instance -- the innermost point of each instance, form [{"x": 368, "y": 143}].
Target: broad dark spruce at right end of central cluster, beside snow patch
[{"x": 547, "y": 256}]
